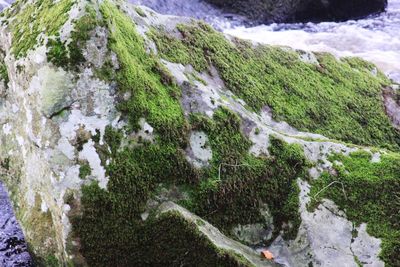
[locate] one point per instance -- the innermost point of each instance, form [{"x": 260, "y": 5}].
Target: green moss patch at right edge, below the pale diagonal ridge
[{"x": 373, "y": 196}]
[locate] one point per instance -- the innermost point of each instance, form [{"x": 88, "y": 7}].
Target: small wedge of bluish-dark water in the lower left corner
[{"x": 13, "y": 249}]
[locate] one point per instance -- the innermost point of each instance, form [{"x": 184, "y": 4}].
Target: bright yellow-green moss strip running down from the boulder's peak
[{"x": 140, "y": 76}]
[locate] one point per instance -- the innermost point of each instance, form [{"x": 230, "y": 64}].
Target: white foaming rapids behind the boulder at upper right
[{"x": 376, "y": 39}]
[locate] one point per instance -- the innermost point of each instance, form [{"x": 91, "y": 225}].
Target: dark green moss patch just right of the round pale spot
[{"x": 238, "y": 184}]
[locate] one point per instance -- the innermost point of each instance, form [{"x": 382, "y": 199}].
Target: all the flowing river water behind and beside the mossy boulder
[{"x": 376, "y": 39}]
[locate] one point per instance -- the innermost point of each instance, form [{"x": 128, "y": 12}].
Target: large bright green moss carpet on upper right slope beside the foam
[{"x": 339, "y": 99}]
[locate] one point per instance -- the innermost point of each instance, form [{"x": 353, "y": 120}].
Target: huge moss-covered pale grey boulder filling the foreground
[{"x": 112, "y": 111}]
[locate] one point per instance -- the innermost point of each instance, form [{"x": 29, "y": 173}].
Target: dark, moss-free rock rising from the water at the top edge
[{"x": 266, "y": 11}]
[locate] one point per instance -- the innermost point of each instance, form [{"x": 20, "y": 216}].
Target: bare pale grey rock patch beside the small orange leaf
[{"x": 325, "y": 238}]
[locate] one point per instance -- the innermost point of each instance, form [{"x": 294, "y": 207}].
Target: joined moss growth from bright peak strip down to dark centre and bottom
[{"x": 110, "y": 227}]
